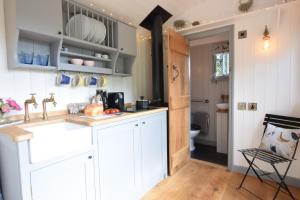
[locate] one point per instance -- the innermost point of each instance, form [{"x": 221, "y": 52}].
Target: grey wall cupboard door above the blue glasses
[{"x": 41, "y": 16}]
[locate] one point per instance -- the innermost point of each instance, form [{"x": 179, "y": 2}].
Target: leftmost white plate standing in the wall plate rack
[{"x": 79, "y": 26}]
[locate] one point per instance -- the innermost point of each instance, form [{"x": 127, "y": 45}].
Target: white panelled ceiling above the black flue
[{"x": 134, "y": 11}]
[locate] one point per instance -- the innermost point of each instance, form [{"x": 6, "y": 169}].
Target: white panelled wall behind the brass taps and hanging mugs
[{"x": 18, "y": 84}]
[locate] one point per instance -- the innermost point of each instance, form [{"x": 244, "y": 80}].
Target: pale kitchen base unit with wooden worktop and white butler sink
[{"x": 120, "y": 159}]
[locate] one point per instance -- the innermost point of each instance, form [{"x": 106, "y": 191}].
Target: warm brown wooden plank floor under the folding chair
[{"x": 201, "y": 180}]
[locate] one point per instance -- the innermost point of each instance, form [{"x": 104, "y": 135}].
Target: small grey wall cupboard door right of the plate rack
[{"x": 126, "y": 39}]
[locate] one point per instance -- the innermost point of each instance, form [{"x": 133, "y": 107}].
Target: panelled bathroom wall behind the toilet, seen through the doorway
[{"x": 202, "y": 87}]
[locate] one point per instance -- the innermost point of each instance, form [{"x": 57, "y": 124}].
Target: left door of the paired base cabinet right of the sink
[{"x": 118, "y": 153}]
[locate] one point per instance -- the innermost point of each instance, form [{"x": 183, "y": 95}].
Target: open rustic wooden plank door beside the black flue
[{"x": 179, "y": 100}]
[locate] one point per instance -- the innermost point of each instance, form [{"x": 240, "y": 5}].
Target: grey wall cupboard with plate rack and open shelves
[{"x": 37, "y": 38}]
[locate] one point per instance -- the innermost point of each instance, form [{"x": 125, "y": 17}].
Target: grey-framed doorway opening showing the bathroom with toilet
[{"x": 211, "y": 56}]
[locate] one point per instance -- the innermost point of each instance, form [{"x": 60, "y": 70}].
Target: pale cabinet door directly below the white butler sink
[{"x": 69, "y": 179}]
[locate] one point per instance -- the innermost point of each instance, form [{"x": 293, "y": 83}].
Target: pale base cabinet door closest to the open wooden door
[{"x": 153, "y": 137}]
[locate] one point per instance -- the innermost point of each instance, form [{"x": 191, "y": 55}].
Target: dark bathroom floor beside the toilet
[{"x": 209, "y": 154}]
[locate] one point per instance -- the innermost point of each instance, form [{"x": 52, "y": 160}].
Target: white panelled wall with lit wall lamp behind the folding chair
[{"x": 270, "y": 78}]
